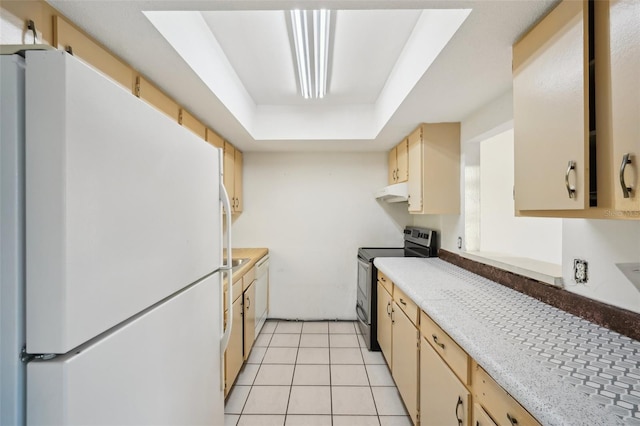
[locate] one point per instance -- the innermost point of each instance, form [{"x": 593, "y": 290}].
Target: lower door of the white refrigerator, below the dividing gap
[{"x": 162, "y": 368}]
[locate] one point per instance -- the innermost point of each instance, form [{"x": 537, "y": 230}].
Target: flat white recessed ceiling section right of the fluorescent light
[{"x": 366, "y": 48}]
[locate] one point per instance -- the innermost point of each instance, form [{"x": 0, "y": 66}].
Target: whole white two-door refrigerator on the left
[{"x": 112, "y": 254}]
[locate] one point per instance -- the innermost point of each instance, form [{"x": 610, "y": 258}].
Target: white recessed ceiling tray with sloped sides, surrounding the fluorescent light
[{"x": 246, "y": 60}]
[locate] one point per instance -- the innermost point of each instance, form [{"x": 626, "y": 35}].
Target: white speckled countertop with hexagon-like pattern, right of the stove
[{"x": 564, "y": 370}]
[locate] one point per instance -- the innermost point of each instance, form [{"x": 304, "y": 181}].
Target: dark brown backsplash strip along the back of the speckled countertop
[{"x": 612, "y": 317}]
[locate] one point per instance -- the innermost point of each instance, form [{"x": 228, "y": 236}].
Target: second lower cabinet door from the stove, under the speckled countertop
[{"x": 405, "y": 360}]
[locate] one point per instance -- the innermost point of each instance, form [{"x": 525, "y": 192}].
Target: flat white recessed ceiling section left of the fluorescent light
[{"x": 256, "y": 44}]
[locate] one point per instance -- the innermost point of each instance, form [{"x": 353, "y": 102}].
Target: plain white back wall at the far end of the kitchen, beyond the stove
[{"x": 313, "y": 211}]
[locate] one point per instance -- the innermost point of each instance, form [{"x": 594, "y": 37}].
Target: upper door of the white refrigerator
[{"x": 122, "y": 204}]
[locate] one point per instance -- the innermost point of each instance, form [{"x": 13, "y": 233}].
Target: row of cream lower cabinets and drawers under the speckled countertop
[{"x": 437, "y": 380}]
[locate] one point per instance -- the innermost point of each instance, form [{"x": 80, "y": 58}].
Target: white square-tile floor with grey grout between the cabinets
[{"x": 314, "y": 374}]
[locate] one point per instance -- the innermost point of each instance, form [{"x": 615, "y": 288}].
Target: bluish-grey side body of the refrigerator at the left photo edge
[{"x": 12, "y": 370}]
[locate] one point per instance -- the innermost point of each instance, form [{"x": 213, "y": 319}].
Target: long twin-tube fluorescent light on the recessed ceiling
[{"x": 311, "y": 30}]
